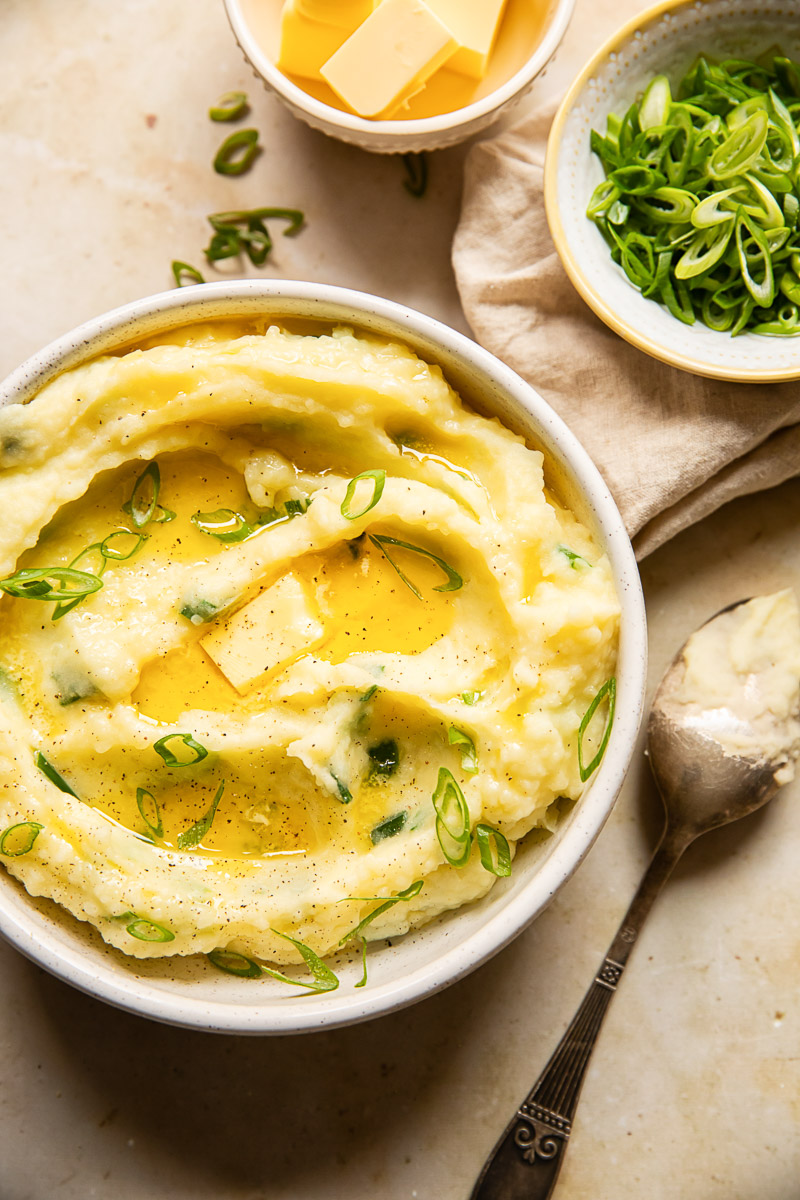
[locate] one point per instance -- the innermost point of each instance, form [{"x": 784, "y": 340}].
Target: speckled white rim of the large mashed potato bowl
[{"x": 440, "y": 344}]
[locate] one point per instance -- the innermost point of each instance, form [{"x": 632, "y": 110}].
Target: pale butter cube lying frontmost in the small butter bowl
[{"x": 389, "y": 58}]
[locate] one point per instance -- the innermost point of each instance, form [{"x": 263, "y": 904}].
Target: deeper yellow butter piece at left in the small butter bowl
[{"x": 312, "y": 31}]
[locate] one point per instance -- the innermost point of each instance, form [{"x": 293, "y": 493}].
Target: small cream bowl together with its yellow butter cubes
[{"x": 399, "y": 76}]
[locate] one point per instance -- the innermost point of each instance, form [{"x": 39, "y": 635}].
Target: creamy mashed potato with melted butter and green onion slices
[{"x": 324, "y": 592}]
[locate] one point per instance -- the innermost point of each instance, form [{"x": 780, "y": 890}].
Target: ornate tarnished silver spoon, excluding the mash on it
[{"x": 702, "y": 787}]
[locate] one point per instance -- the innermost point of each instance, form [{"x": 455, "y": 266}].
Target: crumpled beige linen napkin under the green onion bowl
[{"x": 671, "y": 446}]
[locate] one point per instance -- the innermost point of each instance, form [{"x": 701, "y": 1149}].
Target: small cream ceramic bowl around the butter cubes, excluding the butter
[{"x": 256, "y": 25}]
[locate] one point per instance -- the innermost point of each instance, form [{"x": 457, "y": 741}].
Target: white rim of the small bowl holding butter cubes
[{"x": 443, "y": 123}]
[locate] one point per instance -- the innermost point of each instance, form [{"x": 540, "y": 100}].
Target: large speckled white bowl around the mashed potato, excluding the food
[{"x": 189, "y": 992}]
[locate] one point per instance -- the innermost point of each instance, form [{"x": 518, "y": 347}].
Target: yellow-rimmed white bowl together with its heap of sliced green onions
[{"x": 672, "y": 187}]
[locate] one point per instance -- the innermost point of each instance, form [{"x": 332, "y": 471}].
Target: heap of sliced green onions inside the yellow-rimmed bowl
[{"x": 701, "y": 200}]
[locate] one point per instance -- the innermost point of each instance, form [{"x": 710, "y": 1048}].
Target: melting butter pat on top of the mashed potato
[{"x": 270, "y": 631}]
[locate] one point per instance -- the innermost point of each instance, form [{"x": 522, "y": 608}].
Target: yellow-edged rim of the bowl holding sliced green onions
[{"x": 572, "y": 265}]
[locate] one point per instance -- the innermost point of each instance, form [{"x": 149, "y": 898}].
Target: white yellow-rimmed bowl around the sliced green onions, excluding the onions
[{"x": 664, "y": 40}]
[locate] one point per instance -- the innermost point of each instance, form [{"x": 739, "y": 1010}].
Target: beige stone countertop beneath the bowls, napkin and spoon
[{"x": 695, "y": 1087}]
